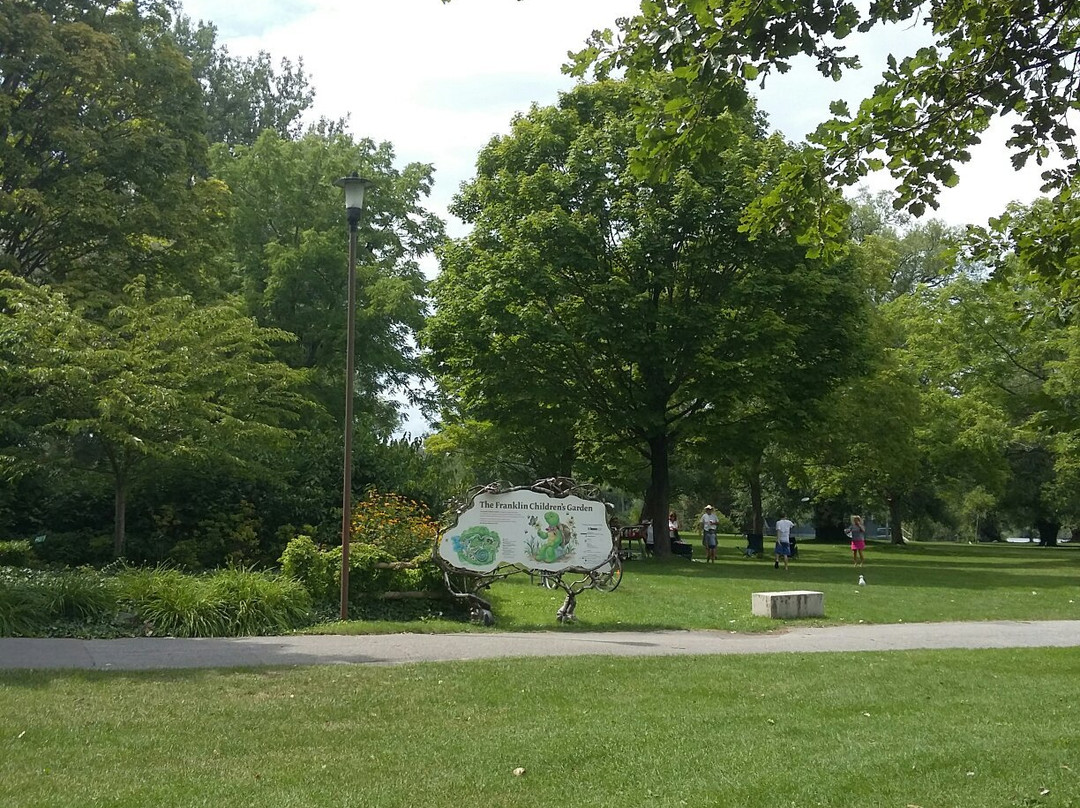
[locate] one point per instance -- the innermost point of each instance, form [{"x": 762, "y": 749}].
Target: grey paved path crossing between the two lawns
[{"x": 145, "y": 654}]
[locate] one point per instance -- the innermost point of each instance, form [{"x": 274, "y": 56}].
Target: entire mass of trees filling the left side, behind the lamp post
[{"x": 137, "y": 267}]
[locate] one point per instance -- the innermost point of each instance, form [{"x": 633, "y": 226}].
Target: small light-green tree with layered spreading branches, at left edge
[{"x": 156, "y": 380}]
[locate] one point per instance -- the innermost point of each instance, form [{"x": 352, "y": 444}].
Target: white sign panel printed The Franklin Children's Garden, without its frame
[{"x": 530, "y": 530}]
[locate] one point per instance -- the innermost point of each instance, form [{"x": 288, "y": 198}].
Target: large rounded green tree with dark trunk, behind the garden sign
[{"x": 637, "y": 305}]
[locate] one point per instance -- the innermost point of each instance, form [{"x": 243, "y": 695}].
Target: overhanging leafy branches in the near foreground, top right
[{"x": 987, "y": 59}]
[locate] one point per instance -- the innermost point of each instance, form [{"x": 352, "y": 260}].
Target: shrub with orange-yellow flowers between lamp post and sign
[{"x": 402, "y": 528}]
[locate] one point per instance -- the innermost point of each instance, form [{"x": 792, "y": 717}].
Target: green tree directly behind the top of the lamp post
[{"x": 289, "y": 249}]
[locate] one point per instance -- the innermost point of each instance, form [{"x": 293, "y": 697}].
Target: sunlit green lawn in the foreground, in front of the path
[{"x": 899, "y": 730}]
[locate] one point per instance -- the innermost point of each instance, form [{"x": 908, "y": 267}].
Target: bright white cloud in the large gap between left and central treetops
[{"x": 436, "y": 80}]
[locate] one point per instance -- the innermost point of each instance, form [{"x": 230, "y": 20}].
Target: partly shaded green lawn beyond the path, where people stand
[{"x": 914, "y": 584}]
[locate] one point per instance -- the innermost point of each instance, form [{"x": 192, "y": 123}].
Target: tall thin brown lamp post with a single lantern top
[{"x": 355, "y": 188}]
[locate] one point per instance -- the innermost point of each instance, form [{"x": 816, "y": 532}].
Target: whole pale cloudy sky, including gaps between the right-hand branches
[{"x": 439, "y": 80}]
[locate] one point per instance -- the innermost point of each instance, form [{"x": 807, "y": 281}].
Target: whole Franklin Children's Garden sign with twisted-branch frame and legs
[{"x": 555, "y": 530}]
